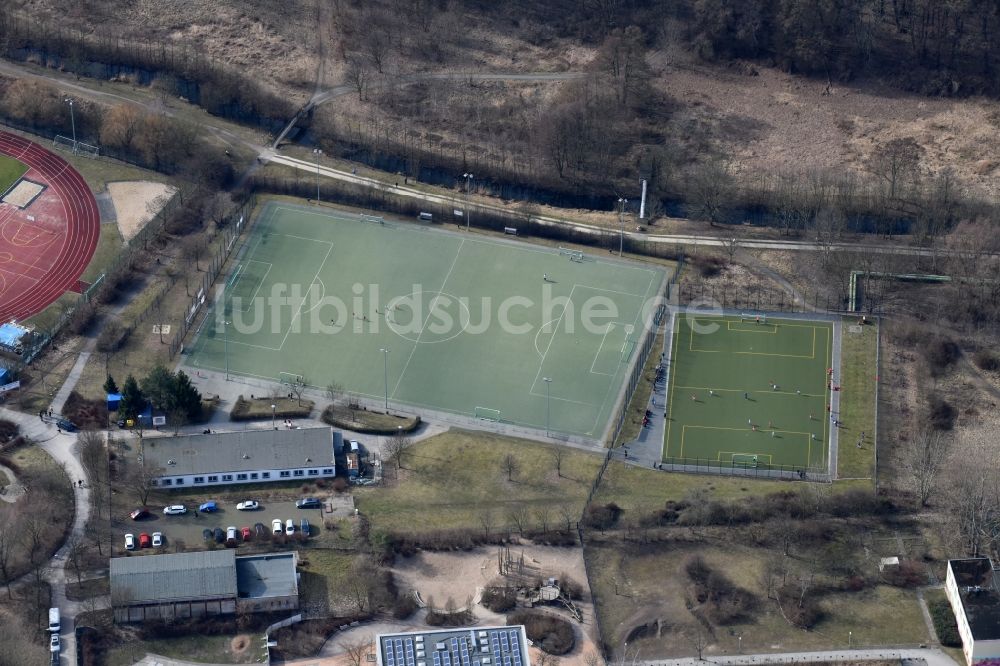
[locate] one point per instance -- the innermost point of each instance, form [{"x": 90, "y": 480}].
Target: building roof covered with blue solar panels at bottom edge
[{"x": 477, "y": 646}]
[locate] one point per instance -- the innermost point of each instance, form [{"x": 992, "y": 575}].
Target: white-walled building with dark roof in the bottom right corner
[{"x": 972, "y": 589}]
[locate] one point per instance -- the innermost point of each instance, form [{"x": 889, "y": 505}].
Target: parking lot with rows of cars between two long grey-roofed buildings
[{"x": 186, "y": 531}]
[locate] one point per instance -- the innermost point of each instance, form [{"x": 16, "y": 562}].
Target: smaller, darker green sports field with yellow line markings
[{"x": 749, "y": 392}]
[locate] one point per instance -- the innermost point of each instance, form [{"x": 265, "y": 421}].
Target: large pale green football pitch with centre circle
[{"x": 471, "y": 324}]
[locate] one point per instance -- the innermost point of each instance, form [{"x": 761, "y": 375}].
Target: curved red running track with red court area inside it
[{"x": 42, "y": 258}]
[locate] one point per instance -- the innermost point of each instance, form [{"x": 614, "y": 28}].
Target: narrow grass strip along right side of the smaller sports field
[{"x": 857, "y": 401}]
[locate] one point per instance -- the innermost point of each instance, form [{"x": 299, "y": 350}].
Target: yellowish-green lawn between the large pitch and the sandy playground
[{"x": 454, "y": 479}]
